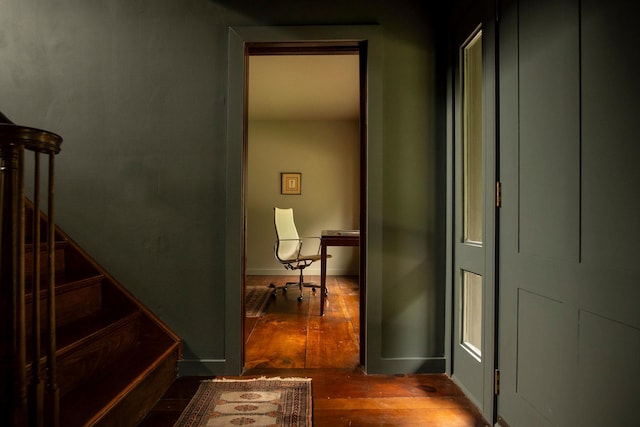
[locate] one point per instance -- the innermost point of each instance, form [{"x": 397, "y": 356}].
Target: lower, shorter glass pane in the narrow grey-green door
[{"x": 472, "y": 313}]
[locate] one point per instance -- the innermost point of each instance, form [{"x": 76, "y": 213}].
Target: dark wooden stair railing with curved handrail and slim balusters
[{"x": 32, "y": 401}]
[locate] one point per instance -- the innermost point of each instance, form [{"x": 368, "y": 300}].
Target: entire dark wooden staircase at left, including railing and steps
[{"x": 76, "y": 348}]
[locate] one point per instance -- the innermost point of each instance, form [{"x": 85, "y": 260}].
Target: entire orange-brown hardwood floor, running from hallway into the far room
[{"x": 291, "y": 339}]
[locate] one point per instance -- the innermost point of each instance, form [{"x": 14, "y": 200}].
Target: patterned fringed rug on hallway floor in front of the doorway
[{"x": 253, "y": 402}]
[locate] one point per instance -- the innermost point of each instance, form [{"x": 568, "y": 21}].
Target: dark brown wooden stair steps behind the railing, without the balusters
[{"x": 115, "y": 358}]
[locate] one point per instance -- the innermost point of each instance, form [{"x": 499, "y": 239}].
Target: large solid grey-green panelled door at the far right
[{"x": 569, "y": 322}]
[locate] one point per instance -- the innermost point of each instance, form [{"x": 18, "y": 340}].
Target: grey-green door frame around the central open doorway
[{"x": 288, "y": 39}]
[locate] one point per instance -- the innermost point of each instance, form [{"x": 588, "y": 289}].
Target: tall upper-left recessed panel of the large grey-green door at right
[{"x": 549, "y": 124}]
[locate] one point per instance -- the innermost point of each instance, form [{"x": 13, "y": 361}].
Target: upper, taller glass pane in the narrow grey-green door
[{"x": 472, "y": 138}]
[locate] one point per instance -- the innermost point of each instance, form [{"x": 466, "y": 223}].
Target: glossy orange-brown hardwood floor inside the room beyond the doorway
[{"x": 292, "y": 334}]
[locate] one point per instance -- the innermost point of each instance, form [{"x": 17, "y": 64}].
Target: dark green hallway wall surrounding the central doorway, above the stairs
[{"x": 138, "y": 91}]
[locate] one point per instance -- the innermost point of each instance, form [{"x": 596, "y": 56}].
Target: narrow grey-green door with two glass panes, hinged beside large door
[{"x": 469, "y": 256}]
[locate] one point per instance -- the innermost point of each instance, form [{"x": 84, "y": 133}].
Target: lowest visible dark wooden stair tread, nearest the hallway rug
[{"x": 101, "y": 390}]
